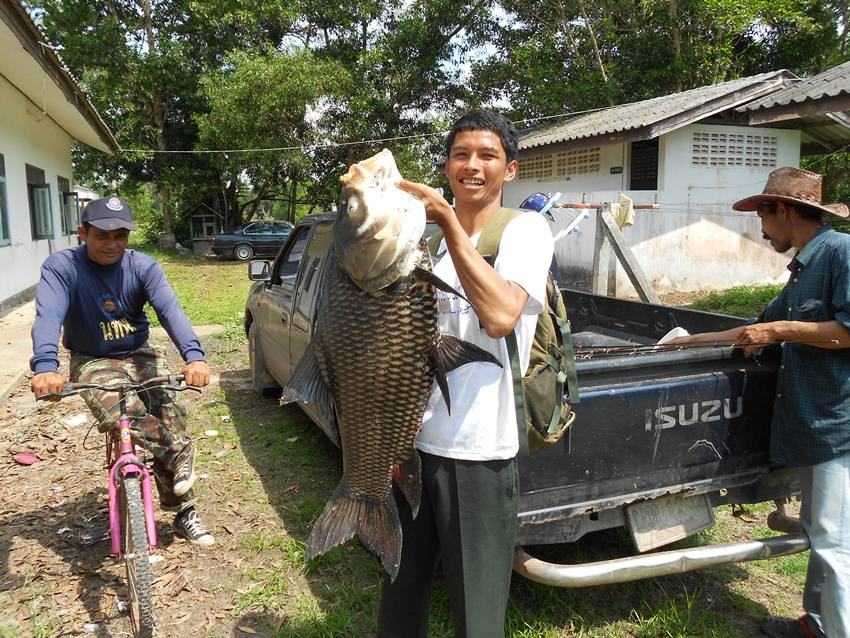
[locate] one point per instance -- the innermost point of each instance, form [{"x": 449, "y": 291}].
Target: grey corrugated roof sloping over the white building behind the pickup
[{"x": 657, "y": 113}]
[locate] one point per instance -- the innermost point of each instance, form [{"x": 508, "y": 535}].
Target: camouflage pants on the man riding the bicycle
[{"x": 158, "y": 421}]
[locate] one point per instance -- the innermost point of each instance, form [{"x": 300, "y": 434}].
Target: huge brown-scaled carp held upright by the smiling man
[{"x": 375, "y": 352}]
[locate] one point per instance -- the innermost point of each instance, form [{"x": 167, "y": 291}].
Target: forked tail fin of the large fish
[{"x": 375, "y": 523}]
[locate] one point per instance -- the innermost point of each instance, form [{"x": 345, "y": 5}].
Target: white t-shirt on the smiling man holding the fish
[{"x": 482, "y": 424}]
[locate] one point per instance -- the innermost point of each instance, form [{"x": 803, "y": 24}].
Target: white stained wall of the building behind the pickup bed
[{"x": 693, "y": 240}]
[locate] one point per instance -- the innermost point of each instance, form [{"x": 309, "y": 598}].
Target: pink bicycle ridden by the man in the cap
[{"x": 132, "y": 527}]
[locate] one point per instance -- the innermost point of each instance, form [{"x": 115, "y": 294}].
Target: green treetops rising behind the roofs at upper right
[{"x": 553, "y": 56}]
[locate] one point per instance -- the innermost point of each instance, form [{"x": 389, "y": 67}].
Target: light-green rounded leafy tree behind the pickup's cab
[{"x": 263, "y": 99}]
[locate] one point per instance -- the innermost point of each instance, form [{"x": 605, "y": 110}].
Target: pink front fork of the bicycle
[{"x": 126, "y": 464}]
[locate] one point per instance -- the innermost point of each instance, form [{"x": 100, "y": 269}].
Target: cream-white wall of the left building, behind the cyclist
[{"x": 28, "y": 136}]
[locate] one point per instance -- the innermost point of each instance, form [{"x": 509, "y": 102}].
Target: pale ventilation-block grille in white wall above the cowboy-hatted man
[{"x": 734, "y": 149}]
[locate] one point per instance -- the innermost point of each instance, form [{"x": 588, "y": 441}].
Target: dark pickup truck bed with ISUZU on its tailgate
[{"x": 649, "y": 424}]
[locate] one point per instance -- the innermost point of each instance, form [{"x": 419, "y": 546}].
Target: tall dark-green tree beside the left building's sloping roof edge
[{"x": 140, "y": 61}]
